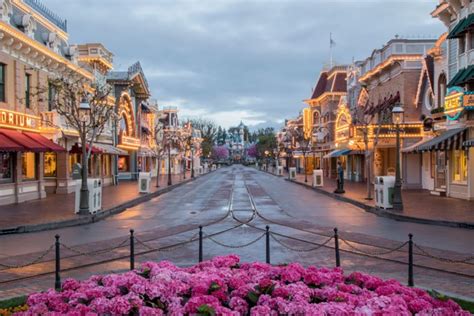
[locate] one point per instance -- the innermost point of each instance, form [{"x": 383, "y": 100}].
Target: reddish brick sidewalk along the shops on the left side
[{"x": 57, "y": 210}]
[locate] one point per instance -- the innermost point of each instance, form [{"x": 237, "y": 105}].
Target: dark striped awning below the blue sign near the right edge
[{"x": 451, "y": 139}]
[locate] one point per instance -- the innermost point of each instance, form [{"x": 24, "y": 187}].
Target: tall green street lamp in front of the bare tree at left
[{"x": 84, "y": 114}]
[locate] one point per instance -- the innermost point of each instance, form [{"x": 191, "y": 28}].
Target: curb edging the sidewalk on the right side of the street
[{"x": 378, "y": 211}]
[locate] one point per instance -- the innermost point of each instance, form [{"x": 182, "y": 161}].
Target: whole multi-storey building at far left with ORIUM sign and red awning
[{"x": 34, "y": 151}]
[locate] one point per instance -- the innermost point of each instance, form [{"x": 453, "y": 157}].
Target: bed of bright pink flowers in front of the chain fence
[{"x": 223, "y": 286}]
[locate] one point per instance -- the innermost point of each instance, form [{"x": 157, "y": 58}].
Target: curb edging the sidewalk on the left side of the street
[{"x": 92, "y": 218}]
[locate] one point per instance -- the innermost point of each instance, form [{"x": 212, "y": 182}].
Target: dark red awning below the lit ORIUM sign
[{"x": 26, "y": 142}]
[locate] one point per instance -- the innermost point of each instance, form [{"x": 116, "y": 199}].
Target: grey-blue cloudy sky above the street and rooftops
[{"x": 233, "y": 60}]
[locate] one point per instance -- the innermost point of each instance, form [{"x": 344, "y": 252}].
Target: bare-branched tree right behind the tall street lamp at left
[{"x": 86, "y": 110}]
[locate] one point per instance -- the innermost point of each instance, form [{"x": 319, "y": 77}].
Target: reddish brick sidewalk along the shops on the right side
[{"x": 419, "y": 205}]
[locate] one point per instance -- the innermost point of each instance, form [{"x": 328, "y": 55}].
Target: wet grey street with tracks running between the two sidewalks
[{"x": 234, "y": 205}]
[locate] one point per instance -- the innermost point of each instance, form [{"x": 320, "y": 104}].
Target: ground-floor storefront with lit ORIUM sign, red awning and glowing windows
[{"x": 27, "y": 158}]
